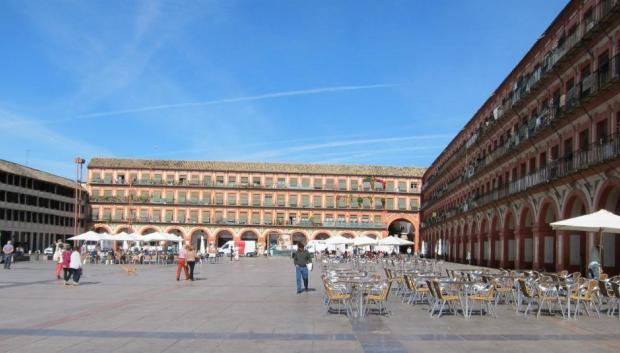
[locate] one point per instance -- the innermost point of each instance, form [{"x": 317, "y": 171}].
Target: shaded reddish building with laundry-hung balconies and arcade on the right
[{"x": 543, "y": 147}]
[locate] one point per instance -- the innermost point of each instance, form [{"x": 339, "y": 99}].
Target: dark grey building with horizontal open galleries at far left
[{"x": 37, "y": 208}]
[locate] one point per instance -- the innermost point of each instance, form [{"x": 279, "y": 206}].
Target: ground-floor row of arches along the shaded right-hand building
[{"x": 519, "y": 236}]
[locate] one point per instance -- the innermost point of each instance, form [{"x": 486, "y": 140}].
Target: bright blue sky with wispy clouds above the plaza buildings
[{"x": 362, "y": 82}]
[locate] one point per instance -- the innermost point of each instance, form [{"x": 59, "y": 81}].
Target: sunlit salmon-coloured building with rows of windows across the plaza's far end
[{"x": 222, "y": 201}]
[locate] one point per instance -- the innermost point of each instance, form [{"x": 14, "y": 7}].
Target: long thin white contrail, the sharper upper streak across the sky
[{"x": 240, "y": 99}]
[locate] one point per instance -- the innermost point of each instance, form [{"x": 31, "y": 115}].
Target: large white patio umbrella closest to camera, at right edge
[{"x": 601, "y": 221}]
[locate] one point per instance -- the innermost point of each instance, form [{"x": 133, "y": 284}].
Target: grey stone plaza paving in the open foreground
[{"x": 250, "y": 306}]
